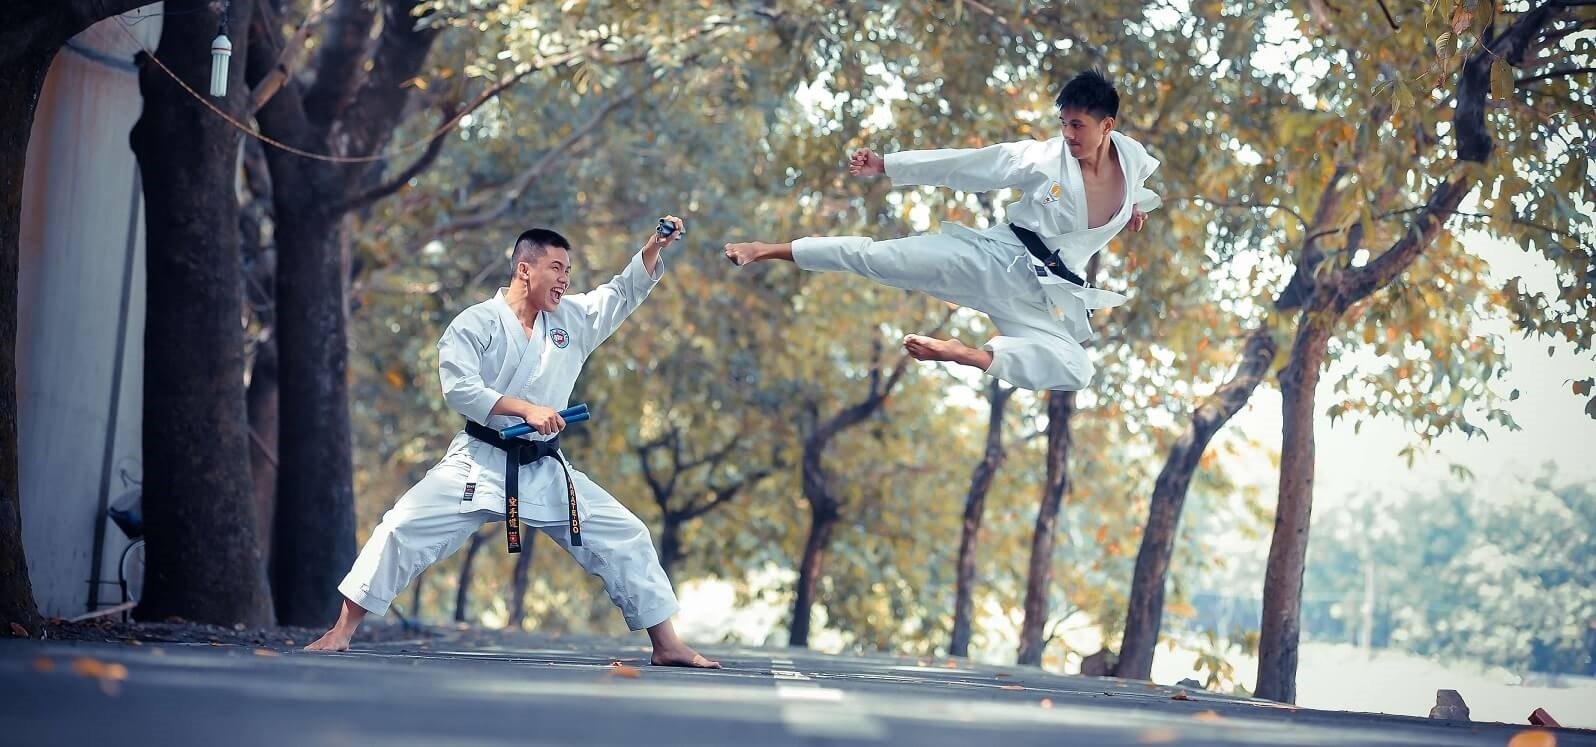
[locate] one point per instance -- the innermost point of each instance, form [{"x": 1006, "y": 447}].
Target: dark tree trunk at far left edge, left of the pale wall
[{"x": 20, "y": 87}]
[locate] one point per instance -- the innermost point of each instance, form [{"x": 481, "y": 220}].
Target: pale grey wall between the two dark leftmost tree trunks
[{"x": 81, "y": 323}]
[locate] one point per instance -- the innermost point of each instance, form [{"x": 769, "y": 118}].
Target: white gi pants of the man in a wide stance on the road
[{"x": 427, "y": 526}]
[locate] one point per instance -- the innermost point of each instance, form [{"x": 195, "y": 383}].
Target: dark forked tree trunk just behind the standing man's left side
[{"x": 352, "y": 109}]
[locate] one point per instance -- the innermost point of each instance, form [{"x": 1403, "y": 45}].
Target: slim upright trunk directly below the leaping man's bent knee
[{"x": 1061, "y": 408}]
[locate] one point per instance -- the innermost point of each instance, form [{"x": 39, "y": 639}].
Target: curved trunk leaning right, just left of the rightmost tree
[{"x": 1145, "y": 614}]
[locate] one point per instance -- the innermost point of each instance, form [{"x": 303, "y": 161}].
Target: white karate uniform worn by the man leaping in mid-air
[{"x": 1041, "y": 318}]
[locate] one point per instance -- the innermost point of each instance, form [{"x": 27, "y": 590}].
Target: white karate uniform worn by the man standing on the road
[{"x": 486, "y": 355}]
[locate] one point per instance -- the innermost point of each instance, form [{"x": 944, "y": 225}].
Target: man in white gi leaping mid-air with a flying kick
[{"x": 1077, "y": 194}]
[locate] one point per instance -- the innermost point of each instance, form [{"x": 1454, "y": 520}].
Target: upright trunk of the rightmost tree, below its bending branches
[{"x": 1278, "y": 644}]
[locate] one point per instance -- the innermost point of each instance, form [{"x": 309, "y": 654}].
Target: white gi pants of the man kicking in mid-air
[{"x": 1032, "y": 349}]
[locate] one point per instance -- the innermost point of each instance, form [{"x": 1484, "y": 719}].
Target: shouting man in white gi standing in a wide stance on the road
[{"x": 508, "y": 362}]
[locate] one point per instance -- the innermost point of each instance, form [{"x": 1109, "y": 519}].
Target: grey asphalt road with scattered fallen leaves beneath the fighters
[{"x": 567, "y": 692}]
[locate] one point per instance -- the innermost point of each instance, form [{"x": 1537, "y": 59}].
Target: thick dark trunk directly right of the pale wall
[{"x": 200, "y": 521}]
